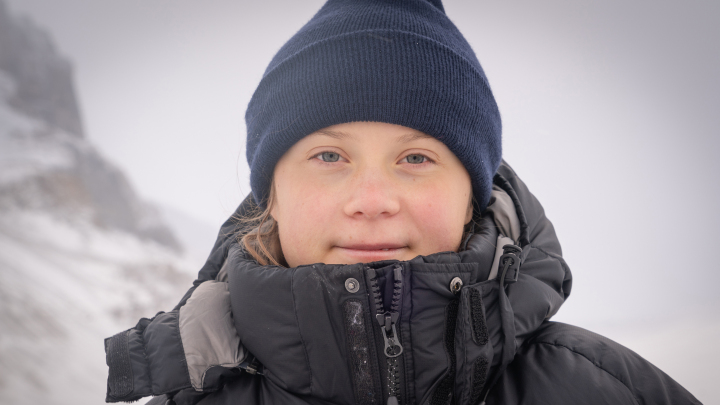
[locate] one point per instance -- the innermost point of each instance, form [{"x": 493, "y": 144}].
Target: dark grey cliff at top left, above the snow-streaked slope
[{"x": 44, "y": 79}]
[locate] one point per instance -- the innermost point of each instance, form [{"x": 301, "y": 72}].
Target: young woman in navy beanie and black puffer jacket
[{"x": 387, "y": 254}]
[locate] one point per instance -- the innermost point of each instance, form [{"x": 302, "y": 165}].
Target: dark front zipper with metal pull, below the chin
[{"x": 387, "y": 321}]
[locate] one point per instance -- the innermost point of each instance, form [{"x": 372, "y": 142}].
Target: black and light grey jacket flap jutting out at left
[{"x": 176, "y": 350}]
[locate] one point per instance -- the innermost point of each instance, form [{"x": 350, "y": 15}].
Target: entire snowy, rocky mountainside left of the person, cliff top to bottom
[{"x": 81, "y": 256}]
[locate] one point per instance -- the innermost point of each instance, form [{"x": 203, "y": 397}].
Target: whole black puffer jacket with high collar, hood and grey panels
[{"x": 447, "y": 328}]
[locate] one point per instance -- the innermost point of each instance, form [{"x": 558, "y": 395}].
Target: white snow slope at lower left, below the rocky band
[{"x": 64, "y": 287}]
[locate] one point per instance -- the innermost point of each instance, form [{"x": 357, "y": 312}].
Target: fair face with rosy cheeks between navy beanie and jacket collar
[{"x": 368, "y": 191}]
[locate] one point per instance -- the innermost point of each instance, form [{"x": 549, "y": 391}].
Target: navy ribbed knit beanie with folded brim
[{"x": 395, "y": 61}]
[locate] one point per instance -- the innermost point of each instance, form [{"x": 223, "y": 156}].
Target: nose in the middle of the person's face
[{"x": 372, "y": 195}]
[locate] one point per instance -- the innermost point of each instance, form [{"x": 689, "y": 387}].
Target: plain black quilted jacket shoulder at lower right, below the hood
[{"x": 566, "y": 364}]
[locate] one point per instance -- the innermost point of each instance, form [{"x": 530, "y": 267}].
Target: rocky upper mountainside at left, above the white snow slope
[{"x": 46, "y": 162}]
